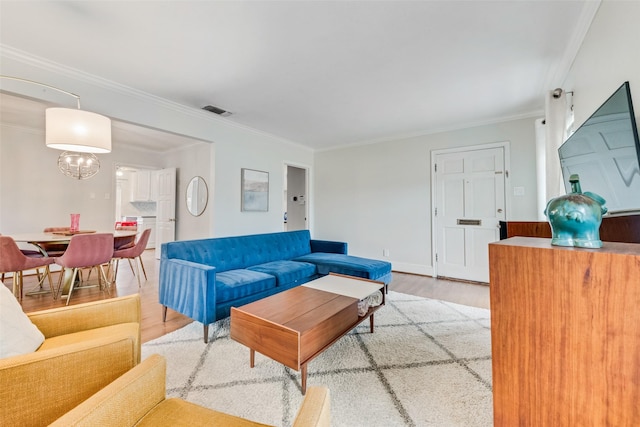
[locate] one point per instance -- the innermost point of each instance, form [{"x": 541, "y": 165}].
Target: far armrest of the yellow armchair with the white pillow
[{"x": 91, "y": 315}]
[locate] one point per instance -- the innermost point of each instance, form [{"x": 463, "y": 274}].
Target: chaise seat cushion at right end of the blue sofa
[{"x": 346, "y": 264}]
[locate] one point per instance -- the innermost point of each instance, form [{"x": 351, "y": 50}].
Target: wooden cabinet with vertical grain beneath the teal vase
[{"x": 565, "y": 334}]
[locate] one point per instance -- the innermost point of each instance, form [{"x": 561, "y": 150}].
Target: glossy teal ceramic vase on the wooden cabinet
[{"x": 575, "y": 218}]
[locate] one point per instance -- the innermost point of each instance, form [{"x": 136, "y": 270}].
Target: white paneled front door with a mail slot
[{"x": 469, "y": 203}]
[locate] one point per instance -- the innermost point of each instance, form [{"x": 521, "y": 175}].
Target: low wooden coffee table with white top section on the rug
[{"x": 295, "y": 326}]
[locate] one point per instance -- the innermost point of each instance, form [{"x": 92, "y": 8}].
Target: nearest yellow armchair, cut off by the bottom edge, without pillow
[{"x": 138, "y": 398}]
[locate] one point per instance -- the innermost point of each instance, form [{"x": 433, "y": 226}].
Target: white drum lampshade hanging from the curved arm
[{"x": 77, "y": 130}]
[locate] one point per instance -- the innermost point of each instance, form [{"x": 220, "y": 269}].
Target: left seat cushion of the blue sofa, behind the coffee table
[{"x": 235, "y": 284}]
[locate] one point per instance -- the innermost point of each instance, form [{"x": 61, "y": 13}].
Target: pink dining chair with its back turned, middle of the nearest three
[{"x": 86, "y": 251}]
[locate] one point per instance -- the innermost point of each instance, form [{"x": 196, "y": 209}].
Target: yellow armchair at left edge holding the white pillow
[{"x": 86, "y": 347}]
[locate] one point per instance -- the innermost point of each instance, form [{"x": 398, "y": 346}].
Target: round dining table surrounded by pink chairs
[{"x": 41, "y": 238}]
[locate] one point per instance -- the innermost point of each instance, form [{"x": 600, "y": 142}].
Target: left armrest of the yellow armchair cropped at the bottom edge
[{"x": 123, "y": 402}]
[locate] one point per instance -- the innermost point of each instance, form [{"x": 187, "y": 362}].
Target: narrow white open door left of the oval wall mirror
[{"x": 166, "y": 208}]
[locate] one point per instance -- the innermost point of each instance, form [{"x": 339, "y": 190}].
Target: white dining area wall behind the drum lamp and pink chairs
[{"x": 36, "y": 195}]
